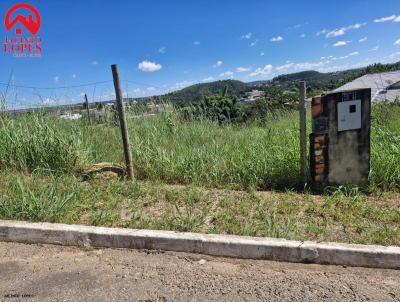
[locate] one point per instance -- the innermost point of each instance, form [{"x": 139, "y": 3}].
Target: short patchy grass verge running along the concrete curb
[{"x": 345, "y": 215}]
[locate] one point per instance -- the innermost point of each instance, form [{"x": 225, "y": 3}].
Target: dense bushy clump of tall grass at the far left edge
[{"x": 33, "y": 142}]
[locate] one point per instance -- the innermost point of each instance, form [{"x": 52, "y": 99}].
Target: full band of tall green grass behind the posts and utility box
[{"x": 199, "y": 152}]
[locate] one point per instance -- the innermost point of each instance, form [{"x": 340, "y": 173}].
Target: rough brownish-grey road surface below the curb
[{"x": 53, "y": 273}]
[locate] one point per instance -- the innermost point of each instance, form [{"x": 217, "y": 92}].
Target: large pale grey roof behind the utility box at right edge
[{"x": 384, "y": 86}]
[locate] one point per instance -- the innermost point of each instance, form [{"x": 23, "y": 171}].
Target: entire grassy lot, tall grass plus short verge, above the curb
[{"x": 186, "y": 176}]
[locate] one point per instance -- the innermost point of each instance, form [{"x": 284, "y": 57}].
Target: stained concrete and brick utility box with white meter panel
[{"x": 340, "y": 142}]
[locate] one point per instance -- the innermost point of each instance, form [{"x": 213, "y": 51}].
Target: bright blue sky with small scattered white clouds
[{"x": 163, "y": 46}]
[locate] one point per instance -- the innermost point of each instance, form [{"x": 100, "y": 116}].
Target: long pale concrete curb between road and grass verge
[{"x": 215, "y": 245}]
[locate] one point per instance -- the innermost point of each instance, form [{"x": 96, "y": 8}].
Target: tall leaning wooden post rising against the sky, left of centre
[{"x": 122, "y": 120}]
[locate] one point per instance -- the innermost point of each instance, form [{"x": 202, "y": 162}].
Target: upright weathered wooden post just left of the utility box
[{"x": 303, "y": 131}]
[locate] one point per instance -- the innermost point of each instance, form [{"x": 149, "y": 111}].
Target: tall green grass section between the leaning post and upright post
[{"x": 229, "y": 156}]
